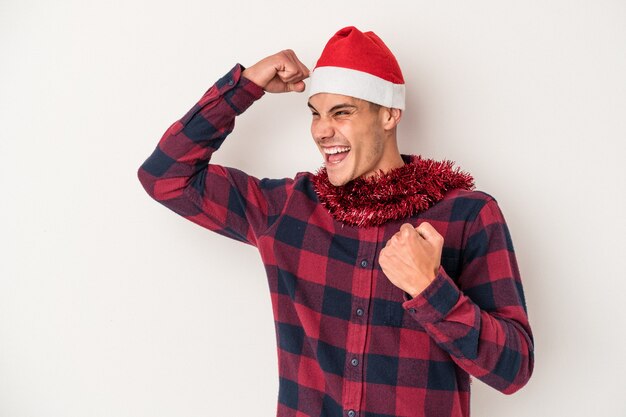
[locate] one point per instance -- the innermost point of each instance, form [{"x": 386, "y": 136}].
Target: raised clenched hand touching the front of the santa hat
[{"x": 279, "y": 73}]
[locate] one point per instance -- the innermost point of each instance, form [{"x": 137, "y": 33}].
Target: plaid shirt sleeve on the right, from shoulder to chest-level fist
[{"x": 481, "y": 321}]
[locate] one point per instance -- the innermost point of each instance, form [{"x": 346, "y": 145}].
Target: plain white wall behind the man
[{"x": 110, "y": 305}]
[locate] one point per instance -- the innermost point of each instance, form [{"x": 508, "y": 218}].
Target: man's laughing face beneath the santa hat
[{"x": 350, "y": 134}]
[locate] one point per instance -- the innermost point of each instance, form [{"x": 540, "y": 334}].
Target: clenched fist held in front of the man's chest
[{"x": 411, "y": 258}]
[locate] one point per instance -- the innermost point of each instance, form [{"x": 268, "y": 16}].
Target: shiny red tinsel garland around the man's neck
[{"x": 397, "y": 194}]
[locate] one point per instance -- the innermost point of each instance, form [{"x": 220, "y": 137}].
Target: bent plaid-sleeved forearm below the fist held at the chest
[{"x": 495, "y": 347}]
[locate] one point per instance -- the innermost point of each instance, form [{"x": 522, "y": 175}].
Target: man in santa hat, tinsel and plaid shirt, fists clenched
[{"x": 391, "y": 280}]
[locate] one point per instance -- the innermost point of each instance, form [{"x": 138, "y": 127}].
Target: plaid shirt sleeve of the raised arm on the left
[{"x": 178, "y": 173}]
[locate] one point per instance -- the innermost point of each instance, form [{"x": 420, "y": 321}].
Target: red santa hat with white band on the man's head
[{"x": 360, "y": 65}]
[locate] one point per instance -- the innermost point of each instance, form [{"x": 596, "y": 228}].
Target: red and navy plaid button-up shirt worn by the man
[{"x": 349, "y": 342}]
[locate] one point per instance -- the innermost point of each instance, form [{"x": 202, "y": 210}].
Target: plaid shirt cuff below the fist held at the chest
[{"x": 435, "y": 302}]
